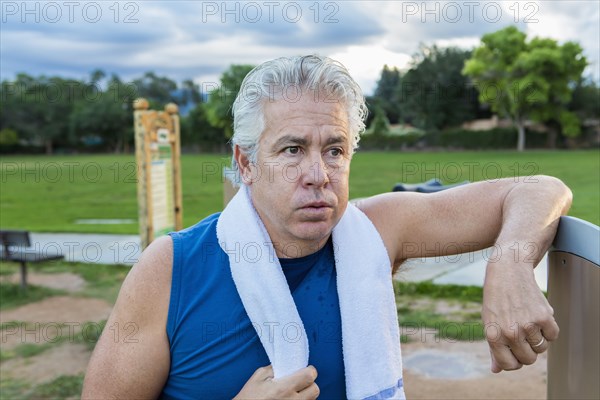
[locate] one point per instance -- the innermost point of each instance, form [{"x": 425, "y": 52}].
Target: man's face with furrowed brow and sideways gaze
[{"x": 304, "y": 164}]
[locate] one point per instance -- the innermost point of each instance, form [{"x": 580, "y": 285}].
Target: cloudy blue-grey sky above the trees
[{"x": 200, "y": 39}]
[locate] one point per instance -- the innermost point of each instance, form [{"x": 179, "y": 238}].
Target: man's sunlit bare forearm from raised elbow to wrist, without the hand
[{"x": 530, "y": 215}]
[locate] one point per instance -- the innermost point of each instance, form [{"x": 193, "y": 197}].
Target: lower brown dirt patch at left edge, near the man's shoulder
[{"x": 66, "y": 359}]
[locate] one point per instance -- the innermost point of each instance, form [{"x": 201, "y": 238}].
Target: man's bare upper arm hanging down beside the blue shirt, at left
[{"x": 131, "y": 358}]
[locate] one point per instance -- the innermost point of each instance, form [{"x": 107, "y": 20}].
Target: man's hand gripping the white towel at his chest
[{"x": 299, "y": 385}]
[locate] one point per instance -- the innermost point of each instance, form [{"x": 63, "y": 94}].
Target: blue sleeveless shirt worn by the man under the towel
[{"x": 214, "y": 347}]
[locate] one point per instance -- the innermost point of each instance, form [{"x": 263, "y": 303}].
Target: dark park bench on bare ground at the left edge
[{"x": 15, "y": 247}]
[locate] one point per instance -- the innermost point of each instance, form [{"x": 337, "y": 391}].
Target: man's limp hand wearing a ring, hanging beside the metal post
[{"x": 518, "y": 320}]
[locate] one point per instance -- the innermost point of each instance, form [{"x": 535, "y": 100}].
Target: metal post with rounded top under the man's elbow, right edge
[{"x": 574, "y": 293}]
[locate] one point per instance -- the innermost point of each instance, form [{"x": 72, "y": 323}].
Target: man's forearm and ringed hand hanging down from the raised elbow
[{"x": 518, "y": 319}]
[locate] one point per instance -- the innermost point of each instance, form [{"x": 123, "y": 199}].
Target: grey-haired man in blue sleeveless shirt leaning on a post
[{"x": 296, "y": 125}]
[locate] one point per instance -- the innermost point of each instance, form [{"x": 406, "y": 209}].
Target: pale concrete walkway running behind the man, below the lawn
[{"x": 461, "y": 269}]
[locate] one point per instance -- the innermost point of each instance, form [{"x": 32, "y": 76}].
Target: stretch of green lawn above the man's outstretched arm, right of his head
[{"x": 376, "y": 172}]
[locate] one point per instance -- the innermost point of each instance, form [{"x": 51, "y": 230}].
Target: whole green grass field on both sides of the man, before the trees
[{"x": 49, "y": 194}]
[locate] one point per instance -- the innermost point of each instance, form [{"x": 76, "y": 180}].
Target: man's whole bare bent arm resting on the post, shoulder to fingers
[{"x": 519, "y": 216}]
